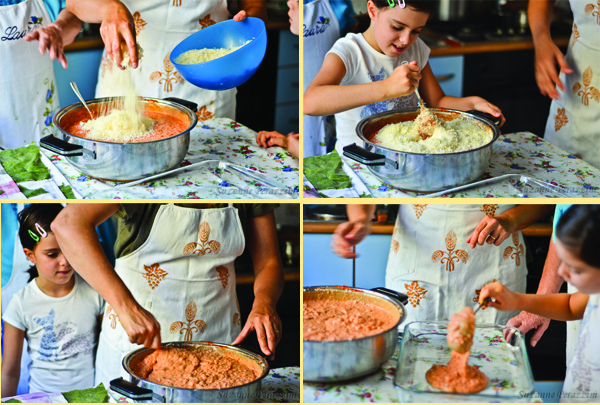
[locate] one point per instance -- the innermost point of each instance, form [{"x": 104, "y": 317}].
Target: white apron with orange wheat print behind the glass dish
[{"x": 432, "y": 263}]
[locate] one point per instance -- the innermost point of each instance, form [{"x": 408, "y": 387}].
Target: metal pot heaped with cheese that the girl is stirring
[{"x": 418, "y": 171}]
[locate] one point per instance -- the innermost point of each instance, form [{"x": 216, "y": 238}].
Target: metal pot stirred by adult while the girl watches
[{"x": 140, "y": 389}]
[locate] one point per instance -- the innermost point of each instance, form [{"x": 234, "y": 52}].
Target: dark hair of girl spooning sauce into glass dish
[{"x": 579, "y": 230}]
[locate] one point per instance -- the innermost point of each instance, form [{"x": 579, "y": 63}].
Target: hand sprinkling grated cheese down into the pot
[{"x": 118, "y": 28}]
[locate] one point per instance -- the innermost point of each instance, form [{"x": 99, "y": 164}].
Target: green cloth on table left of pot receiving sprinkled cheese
[{"x": 24, "y": 164}]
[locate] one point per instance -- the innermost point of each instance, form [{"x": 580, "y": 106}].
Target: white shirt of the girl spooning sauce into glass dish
[{"x": 582, "y": 381}]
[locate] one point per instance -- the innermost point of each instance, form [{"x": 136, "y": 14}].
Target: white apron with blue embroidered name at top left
[{"x": 28, "y": 96}]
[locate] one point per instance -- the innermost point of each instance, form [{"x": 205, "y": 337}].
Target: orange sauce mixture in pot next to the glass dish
[{"x": 334, "y": 319}]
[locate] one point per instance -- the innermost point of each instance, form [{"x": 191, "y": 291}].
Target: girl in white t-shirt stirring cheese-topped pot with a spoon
[{"x": 378, "y": 70}]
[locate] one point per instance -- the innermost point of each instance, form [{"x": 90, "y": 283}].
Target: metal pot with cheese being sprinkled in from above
[{"x": 123, "y": 161}]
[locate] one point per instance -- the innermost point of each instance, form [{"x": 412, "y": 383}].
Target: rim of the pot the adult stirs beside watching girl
[{"x": 259, "y": 359}]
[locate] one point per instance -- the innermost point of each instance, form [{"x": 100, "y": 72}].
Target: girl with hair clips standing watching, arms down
[{"x": 57, "y": 313}]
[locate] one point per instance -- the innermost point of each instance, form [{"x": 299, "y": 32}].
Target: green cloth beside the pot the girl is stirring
[{"x": 326, "y": 172}]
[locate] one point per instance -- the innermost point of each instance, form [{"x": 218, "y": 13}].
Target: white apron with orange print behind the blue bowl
[{"x": 160, "y": 25}]
